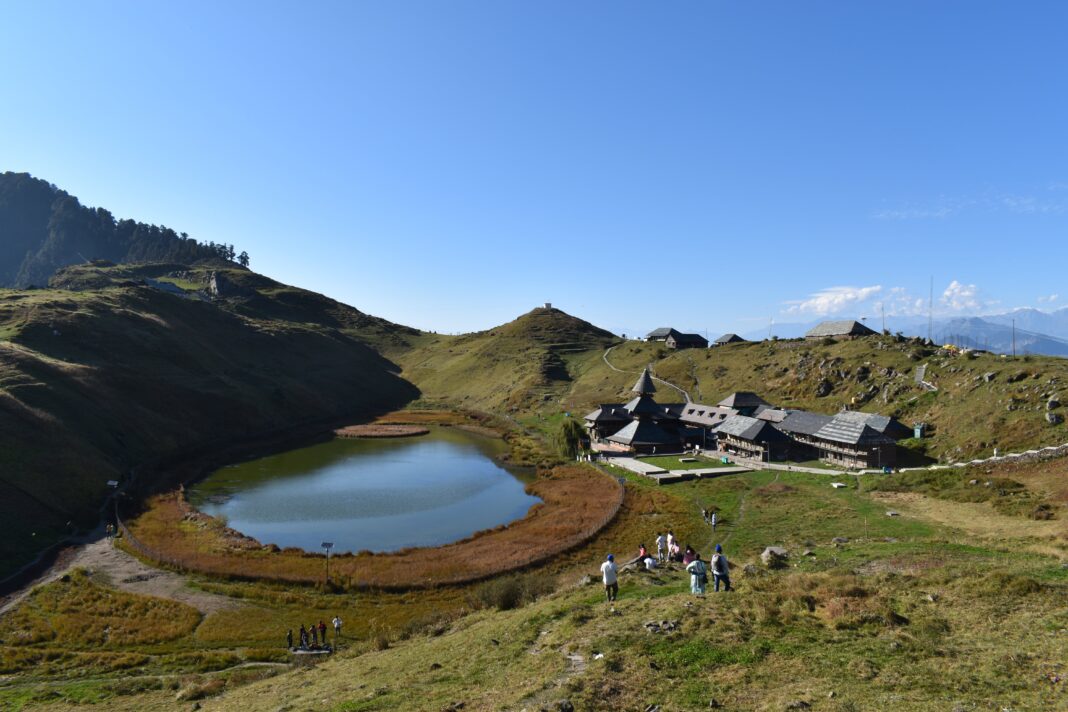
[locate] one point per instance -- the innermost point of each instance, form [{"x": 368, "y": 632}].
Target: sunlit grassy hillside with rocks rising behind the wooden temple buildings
[{"x": 983, "y": 402}]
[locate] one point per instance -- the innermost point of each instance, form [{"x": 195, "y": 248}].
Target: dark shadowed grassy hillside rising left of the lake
[{"x": 107, "y": 374}]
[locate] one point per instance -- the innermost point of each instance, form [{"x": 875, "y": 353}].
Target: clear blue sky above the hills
[{"x": 452, "y": 165}]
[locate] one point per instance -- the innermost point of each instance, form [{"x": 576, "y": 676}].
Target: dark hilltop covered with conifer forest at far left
[{"x": 44, "y": 229}]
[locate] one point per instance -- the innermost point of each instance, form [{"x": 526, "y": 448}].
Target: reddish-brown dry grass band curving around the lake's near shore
[{"x": 577, "y": 503}]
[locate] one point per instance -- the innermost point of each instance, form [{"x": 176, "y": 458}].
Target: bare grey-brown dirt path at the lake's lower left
[{"x": 114, "y": 567}]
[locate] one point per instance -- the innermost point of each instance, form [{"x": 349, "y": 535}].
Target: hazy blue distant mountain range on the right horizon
[{"x": 1036, "y": 333}]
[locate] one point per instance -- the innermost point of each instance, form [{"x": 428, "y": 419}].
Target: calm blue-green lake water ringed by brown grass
[{"x": 381, "y": 495}]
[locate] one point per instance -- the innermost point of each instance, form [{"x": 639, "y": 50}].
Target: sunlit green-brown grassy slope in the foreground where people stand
[{"x": 952, "y": 605}]
